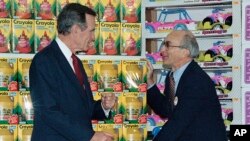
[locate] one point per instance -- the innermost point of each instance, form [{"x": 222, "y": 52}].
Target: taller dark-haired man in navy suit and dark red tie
[{"x": 61, "y": 95}]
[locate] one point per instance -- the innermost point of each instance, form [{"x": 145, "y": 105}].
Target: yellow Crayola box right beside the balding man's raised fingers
[{"x": 134, "y": 74}]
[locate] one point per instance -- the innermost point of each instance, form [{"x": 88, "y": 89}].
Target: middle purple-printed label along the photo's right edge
[{"x": 247, "y": 66}]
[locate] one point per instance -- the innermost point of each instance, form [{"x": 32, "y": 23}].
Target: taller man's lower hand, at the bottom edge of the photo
[{"x": 102, "y": 136}]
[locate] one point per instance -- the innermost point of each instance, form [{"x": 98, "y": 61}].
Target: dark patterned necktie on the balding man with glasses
[{"x": 171, "y": 89}]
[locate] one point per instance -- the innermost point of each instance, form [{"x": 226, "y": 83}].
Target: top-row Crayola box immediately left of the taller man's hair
[{"x": 45, "y": 9}]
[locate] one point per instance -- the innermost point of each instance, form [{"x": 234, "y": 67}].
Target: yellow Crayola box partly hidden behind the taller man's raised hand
[{"x": 115, "y": 115}]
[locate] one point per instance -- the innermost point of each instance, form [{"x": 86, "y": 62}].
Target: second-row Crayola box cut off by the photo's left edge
[{"x": 5, "y": 35}]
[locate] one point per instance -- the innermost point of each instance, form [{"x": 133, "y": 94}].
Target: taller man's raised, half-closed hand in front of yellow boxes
[{"x": 108, "y": 100}]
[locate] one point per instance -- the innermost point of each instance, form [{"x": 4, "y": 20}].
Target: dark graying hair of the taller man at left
[{"x": 71, "y": 14}]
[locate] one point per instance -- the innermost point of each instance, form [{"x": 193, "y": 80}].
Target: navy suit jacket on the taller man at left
[{"x": 63, "y": 108}]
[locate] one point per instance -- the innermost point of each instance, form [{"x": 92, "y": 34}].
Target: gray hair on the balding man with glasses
[{"x": 189, "y": 42}]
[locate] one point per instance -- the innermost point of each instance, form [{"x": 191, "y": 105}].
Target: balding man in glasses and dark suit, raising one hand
[{"x": 189, "y": 102}]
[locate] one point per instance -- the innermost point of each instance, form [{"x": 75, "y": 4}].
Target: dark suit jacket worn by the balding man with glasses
[{"x": 196, "y": 116}]
